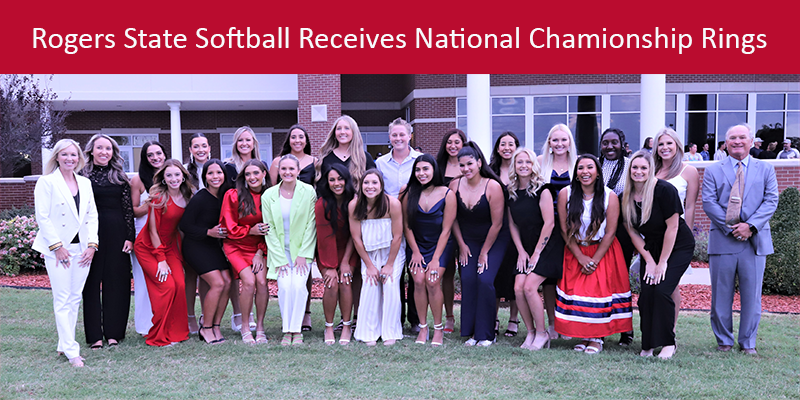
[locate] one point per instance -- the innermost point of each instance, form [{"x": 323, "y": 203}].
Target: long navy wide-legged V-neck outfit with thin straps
[{"x": 478, "y": 311}]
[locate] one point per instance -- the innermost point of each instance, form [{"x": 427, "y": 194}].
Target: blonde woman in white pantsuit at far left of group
[{"x": 67, "y": 237}]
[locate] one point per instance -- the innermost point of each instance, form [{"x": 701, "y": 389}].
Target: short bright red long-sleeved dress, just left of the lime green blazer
[{"x": 240, "y": 247}]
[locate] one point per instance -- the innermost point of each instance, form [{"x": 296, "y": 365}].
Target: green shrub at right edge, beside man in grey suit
[{"x": 782, "y": 273}]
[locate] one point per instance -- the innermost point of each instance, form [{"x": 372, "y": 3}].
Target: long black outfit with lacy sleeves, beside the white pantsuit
[{"x": 111, "y": 267}]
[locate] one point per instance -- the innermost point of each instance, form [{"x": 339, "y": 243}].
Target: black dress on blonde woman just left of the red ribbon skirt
[{"x": 527, "y": 216}]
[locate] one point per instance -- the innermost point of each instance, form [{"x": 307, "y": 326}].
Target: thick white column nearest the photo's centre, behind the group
[{"x": 479, "y": 112}]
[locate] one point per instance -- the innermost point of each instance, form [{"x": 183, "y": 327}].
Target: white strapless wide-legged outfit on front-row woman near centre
[{"x": 379, "y": 309}]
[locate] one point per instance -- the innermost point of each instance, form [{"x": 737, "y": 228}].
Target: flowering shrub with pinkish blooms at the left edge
[{"x": 16, "y": 238}]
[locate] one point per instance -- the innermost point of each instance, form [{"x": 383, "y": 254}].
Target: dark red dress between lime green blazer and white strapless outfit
[{"x": 330, "y": 248}]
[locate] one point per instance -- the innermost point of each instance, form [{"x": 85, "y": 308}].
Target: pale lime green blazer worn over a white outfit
[{"x": 302, "y": 226}]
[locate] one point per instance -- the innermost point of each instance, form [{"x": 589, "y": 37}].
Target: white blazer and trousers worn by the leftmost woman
[{"x": 60, "y": 220}]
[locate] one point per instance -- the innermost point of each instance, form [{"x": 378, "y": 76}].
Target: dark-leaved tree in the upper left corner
[{"x": 27, "y": 121}]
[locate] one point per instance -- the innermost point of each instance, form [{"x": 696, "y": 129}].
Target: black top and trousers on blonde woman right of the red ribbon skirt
[{"x": 656, "y": 307}]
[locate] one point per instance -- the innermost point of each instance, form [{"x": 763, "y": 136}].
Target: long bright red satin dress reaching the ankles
[{"x": 168, "y": 298}]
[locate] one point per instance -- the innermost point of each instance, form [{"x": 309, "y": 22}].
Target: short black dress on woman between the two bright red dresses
[{"x": 201, "y": 252}]
